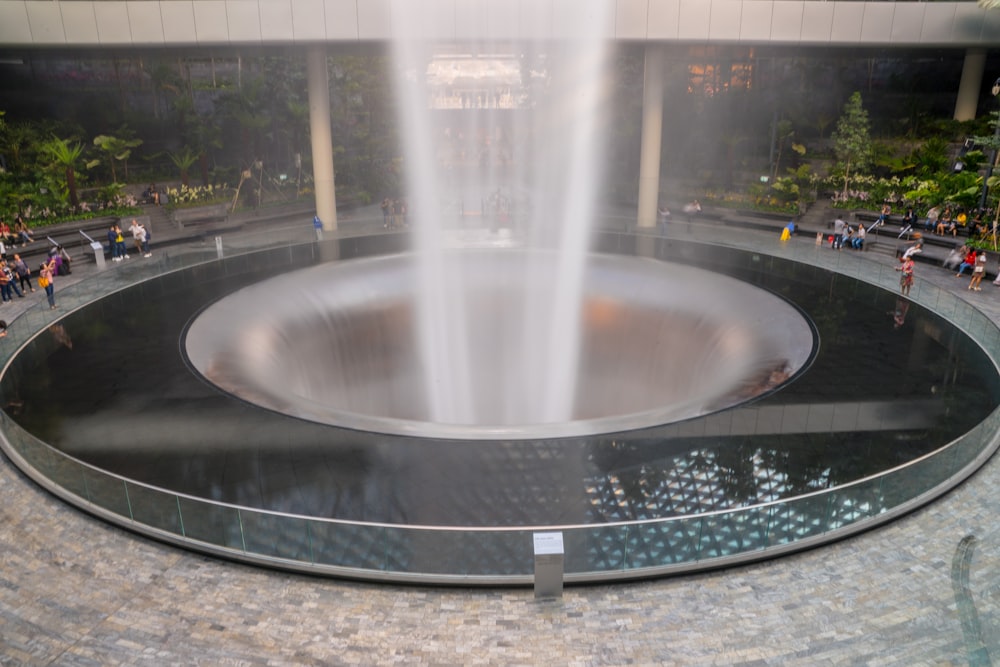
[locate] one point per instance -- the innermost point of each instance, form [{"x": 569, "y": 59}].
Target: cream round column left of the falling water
[{"x": 322, "y": 141}]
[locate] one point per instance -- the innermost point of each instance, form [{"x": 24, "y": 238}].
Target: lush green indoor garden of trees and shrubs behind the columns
[{"x": 236, "y": 132}]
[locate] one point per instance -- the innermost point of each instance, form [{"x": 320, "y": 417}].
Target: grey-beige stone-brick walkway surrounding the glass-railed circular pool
[{"x": 75, "y": 591}]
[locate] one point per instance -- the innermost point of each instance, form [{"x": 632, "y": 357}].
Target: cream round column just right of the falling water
[{"x": 652, "y": 134}]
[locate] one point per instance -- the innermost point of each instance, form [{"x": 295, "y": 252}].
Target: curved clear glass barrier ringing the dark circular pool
[{"x": 625, "y": 549}]
